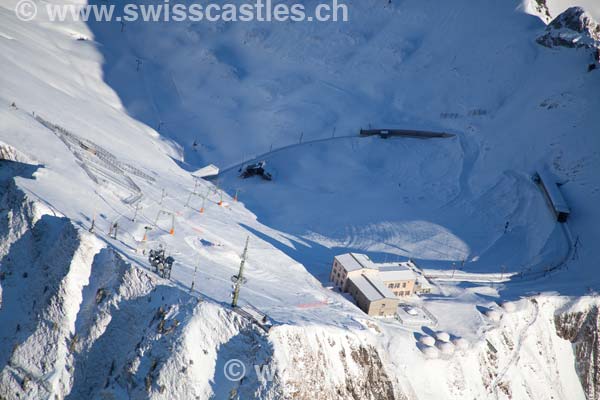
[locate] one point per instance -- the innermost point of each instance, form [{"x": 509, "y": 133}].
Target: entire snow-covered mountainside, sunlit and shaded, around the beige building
[{"x": 84, "y": 317}]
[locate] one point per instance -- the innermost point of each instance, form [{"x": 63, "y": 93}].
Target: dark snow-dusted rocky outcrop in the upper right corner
[{"x": 573, "y": 28}]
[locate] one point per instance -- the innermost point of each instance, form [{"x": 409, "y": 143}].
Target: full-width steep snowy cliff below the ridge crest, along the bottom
[{"x": 110, "y": 330}]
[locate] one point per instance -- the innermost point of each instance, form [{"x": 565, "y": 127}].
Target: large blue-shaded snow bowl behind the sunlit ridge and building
[{"x": 421, "y": 65}]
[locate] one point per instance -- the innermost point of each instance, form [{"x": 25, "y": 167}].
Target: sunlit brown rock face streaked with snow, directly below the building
[{"x": 329, "y": 366}]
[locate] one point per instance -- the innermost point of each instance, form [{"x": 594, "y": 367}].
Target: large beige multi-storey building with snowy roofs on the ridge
[{"x": 376, "y": 288}]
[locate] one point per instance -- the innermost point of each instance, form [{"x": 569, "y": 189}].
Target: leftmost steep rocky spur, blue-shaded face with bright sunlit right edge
[{"x": 43, "y": 274}]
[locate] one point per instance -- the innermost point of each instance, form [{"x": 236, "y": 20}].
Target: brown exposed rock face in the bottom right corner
[{"x": 583, "y": 330}]
